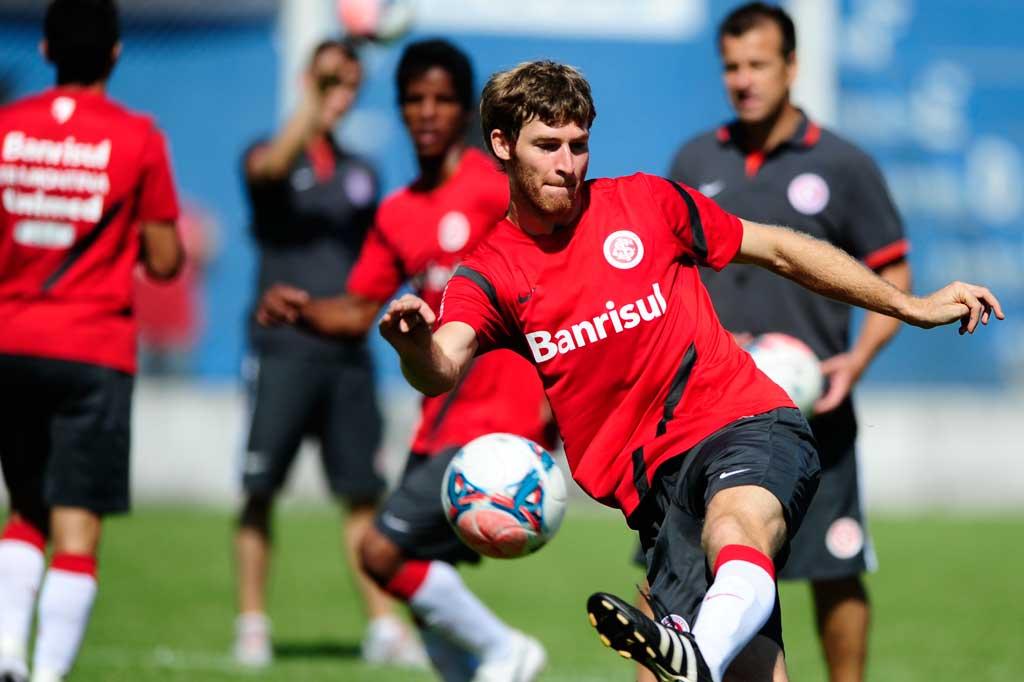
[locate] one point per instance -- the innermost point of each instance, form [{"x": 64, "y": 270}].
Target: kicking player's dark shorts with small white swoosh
[{"x": 775, "y": 451}]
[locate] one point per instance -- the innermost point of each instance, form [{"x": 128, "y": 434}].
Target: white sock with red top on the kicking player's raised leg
[{"x": 737, "y": 607}]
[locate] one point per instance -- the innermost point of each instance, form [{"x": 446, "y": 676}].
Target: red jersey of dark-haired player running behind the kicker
[{"x": 421, "y": 237}]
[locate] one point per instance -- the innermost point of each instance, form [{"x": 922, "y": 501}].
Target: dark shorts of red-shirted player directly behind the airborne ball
[{"x": 414, "y": 519}]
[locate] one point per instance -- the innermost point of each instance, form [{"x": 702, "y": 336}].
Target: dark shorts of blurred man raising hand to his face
[{"x": 335, "y": 402}]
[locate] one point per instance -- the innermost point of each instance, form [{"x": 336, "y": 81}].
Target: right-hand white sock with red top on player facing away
[{"x": 65, "y": 604}]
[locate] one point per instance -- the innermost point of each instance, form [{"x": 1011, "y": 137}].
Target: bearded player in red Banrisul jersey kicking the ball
[{"x": 663, "y": 415}]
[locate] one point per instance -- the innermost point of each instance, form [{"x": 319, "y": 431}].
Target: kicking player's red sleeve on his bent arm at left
[{"x": 471, "y": 299}]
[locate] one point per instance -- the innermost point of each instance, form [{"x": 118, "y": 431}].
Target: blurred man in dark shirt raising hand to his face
[{"x": 313, "y": 204}]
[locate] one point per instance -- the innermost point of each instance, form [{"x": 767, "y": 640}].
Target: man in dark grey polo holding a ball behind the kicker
[{"x": 775, "y": 165}]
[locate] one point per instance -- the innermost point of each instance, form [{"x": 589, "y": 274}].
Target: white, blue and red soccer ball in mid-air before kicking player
[{"x": 504, "y": 496}]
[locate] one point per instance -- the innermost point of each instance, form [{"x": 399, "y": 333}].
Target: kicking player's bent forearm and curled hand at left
[{"x": 433, "y": 363}]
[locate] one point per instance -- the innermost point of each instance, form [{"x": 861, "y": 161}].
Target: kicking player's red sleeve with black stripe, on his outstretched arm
[{"x": 707, "y": 234}]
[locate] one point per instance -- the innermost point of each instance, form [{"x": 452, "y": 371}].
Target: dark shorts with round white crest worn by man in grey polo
[{"x": 833, "y": 542}]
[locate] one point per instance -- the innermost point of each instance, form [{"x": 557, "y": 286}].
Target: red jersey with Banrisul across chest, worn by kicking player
[{"x": 613, "y": 313}]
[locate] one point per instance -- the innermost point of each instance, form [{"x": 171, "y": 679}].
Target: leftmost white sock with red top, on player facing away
[{"x": 22, "y": 564}]
